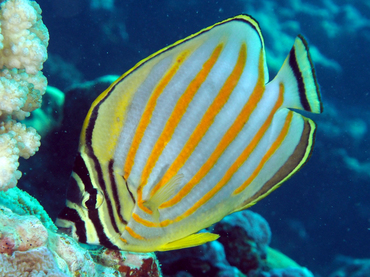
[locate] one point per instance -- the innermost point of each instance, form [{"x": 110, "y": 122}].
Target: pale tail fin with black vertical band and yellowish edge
[{"x": 299, "y": 79}]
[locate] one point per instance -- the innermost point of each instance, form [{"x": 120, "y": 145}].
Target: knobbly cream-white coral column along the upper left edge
[{"x": 23, "y": 43}]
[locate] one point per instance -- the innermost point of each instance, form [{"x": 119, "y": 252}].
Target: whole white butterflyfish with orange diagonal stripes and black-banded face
[{"x": 189, "y": 135}]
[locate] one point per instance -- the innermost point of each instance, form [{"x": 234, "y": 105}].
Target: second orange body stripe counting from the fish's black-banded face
[{"x": 177, "y": 113}]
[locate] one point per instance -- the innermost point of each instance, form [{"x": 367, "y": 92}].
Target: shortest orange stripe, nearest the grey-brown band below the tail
[{"x": 269, "y": 153}]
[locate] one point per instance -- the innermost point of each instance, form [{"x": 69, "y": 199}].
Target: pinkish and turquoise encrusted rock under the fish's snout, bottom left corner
[{"x": 29, "y": 248}]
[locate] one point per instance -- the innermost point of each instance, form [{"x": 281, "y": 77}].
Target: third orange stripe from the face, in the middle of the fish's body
[{"x": 207, "y": 119}]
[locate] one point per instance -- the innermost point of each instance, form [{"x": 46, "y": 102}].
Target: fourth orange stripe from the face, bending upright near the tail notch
[{"x": 229, "y": 136}]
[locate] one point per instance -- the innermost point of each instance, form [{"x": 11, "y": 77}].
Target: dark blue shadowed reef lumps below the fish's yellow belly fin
[{"x": 242, "y": 250}]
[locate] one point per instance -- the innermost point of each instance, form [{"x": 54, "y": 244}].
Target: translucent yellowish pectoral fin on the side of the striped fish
[{"x": 163, "y": 194}]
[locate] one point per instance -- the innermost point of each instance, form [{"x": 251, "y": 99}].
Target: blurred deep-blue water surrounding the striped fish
[{"x": 318, "y": 217}]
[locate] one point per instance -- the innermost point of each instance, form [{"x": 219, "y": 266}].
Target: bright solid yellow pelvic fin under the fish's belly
[{"x": 189, "y": 241}]
